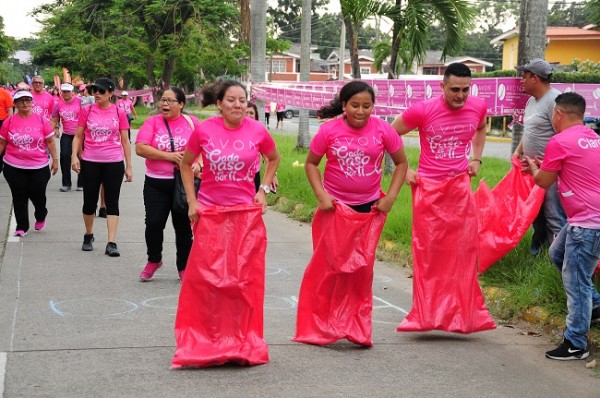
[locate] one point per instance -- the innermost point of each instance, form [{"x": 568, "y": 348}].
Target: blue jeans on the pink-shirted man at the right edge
[{"x": 575, "y": 251}]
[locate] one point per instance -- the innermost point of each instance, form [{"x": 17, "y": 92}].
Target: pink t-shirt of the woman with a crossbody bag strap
[{"x": 154, "y": 133}]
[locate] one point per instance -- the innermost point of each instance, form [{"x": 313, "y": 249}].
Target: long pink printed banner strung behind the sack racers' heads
[{"x": 503, "y": 96}]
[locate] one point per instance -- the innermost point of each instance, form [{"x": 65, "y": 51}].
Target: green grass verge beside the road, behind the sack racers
[{"x": 529, "y": 281}]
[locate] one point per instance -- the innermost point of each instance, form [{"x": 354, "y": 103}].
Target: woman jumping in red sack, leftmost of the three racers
[{"x": 220, "y": 312}]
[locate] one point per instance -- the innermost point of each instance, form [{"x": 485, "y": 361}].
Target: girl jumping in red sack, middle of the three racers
[{"x": 336, "y": 298}]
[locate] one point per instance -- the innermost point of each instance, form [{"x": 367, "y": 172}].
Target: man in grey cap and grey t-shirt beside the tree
[{"x": 537, "y": 131}]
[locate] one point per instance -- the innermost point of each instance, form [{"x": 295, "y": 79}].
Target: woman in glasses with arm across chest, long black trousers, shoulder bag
[{"x": 162, "y": 141}]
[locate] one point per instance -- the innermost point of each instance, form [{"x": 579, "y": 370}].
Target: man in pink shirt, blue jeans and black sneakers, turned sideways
[{"x": 573, "y": 159}]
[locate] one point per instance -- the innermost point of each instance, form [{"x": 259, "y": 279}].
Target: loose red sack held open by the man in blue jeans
[{"x": 505, "y": 213}]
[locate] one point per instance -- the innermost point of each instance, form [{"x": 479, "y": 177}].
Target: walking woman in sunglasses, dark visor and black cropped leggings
[{"x": 101, "y": 138}]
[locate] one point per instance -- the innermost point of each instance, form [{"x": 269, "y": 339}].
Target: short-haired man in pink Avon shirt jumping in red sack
[{"x": 446, "y": 293}]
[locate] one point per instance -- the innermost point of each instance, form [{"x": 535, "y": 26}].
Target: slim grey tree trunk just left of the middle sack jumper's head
[{"x": 303, "y": 130}]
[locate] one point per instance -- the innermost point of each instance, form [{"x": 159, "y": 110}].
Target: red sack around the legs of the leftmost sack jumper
[{"x": 220, "y": 311}]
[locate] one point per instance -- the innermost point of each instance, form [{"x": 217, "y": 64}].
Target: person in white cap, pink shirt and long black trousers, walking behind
[{"x": 66, "y": 112}]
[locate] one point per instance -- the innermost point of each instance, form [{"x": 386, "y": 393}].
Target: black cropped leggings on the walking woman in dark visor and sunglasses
[{"x": 95, "y": 174}]
